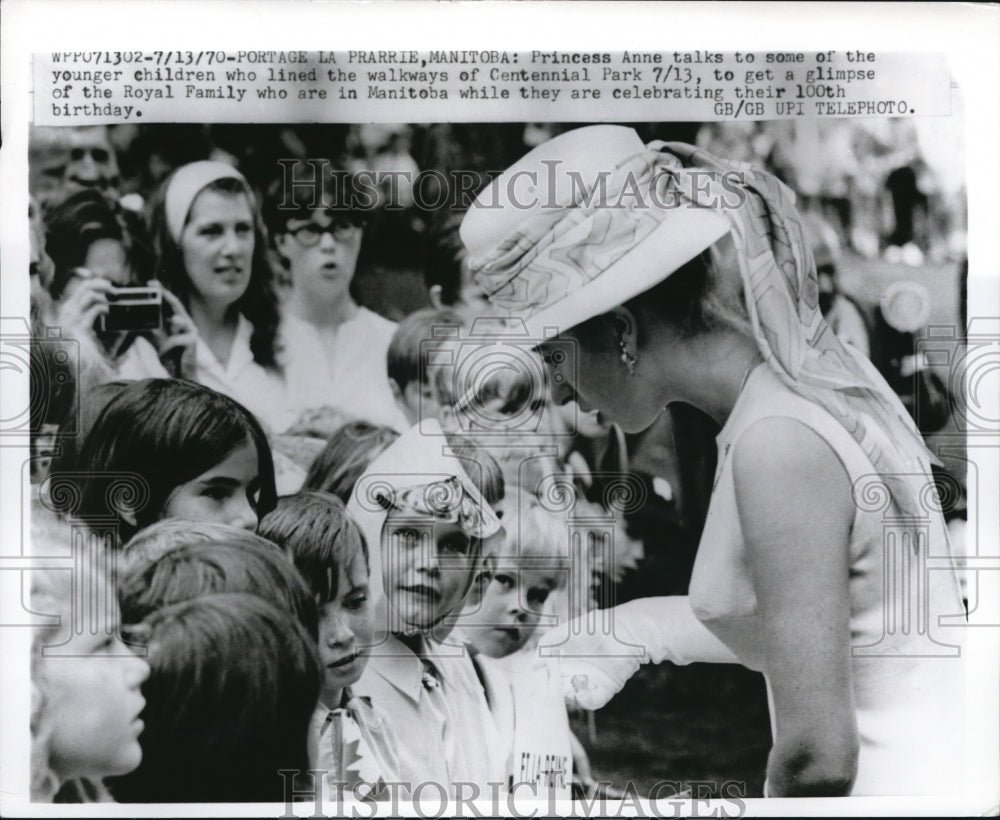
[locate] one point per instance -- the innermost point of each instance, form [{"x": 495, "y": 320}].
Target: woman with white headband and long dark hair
[{"x": 210, "y": 252}]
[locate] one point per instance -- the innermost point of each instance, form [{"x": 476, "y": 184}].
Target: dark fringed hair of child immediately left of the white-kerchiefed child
[{"x": 315, "y": 530}]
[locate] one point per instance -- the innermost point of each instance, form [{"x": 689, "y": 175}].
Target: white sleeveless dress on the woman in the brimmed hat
[{"x": 907, "y": 669}]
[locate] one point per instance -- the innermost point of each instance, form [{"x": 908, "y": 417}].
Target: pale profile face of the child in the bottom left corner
[{"x": 93, "y": 704}]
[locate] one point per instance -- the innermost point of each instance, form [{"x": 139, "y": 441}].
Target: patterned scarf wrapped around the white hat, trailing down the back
[{"x": 557, "y": 251}]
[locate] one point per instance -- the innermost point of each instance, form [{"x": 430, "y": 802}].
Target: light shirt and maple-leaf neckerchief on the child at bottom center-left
[{"x": 354, "y": 745}]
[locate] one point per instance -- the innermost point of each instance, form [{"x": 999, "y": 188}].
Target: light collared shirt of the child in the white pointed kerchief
[{"x": 438, "y": 712}]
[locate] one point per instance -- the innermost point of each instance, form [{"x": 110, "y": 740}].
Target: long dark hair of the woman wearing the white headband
[{"x": 259, "y": 304}]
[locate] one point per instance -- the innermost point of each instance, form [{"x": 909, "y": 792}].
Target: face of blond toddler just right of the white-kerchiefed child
[{"x": 510, "y": 611}]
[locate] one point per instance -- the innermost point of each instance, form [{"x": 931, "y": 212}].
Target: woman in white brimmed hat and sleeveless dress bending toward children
[{"x": 658, "y": 274}]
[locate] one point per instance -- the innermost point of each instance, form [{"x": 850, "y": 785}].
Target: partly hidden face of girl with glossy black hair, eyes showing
[{"x": 225, "y": 494}]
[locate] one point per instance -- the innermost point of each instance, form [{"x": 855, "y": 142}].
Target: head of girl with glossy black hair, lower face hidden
[{"x": 168, "y": 448}]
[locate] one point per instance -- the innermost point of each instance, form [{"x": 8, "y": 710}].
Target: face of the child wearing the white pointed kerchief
[{"x": 426, "y": 567}]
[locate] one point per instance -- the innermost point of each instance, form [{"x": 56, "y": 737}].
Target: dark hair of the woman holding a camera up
[{"x": 72, "y": 227}]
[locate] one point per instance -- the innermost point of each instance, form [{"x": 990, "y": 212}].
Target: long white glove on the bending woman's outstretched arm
[{"x": 600, "y": 650}]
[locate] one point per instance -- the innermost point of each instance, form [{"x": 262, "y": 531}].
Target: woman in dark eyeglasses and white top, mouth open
[{"x": 334, "y": 350}]
